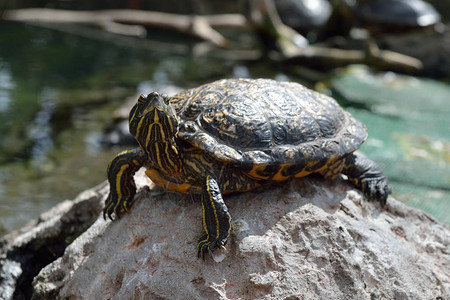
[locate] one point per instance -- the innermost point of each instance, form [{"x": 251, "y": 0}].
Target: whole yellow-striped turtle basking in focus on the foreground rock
[{"x": 235, "y": 135}]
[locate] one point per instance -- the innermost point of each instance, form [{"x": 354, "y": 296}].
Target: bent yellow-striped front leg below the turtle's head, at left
[{"x": 122, "y": 187}]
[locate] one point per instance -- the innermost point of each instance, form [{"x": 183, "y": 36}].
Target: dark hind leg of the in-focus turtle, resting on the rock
[{"x": 367, "y": 176}]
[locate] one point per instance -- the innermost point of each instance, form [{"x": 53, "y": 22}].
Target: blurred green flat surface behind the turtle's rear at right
[{"x": 408, "y": 120}]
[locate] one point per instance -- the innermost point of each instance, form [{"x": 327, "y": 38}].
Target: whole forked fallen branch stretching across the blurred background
[{"x": 264, "y": 20}]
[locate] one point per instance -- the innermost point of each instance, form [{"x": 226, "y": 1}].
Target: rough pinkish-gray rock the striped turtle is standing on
[{"x": 307, "y": 239}]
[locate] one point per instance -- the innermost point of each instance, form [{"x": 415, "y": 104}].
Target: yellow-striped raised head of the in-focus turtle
[{"x": 153, "y": 119}]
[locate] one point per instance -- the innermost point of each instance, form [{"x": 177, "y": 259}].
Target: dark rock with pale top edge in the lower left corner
[{"x": 25, "y": 252}]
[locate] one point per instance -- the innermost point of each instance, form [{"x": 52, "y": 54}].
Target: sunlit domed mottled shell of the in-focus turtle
[{"x": 264, "y": 121}]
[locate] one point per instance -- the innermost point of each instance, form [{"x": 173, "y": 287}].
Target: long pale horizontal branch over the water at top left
[{"x": 133, "y": 22}]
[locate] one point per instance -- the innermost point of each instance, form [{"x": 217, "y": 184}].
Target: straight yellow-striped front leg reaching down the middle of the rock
[{"x": 215, "y": 218}]
